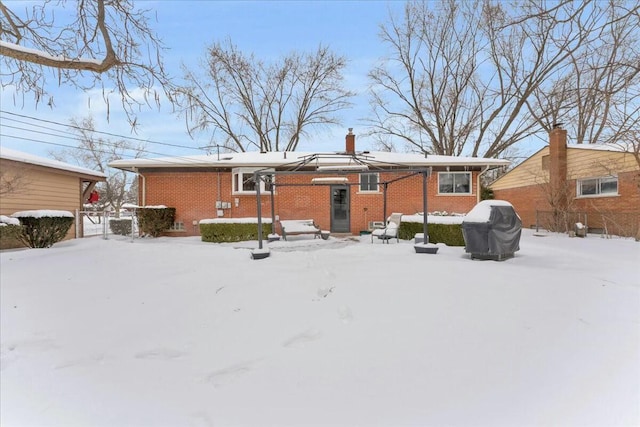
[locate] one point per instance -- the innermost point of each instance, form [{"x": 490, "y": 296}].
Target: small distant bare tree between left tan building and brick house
[{"x": 95, "y": 153}]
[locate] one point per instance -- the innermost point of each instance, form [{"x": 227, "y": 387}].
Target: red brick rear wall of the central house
[{"x": 194, "y": 196}]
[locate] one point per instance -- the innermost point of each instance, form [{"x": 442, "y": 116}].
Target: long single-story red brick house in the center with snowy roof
[{"x": 342, "y": 192}]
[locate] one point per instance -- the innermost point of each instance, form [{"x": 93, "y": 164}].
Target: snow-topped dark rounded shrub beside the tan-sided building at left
[{"x": 42, "y": 229}]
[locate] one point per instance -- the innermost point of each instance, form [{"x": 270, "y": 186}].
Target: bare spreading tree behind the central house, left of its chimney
[{"x": 270, "y": 106}]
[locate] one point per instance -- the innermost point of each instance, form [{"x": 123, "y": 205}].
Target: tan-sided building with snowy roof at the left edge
[{"x": 29, "y": 182}]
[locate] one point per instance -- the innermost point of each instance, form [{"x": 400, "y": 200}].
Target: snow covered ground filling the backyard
[{"x": 342, "y": 332}]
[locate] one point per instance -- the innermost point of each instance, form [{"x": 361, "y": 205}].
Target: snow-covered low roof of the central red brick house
[{"x": 279, "y": 158}]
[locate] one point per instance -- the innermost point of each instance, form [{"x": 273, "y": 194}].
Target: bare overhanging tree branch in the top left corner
[{"x": 106, "y": 44}]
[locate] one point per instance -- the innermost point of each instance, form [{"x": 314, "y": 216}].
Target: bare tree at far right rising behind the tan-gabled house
[{"x": 598, "y": 99}]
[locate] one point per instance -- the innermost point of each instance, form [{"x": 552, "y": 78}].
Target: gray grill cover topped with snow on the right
[{"x": 497, "y": 238}]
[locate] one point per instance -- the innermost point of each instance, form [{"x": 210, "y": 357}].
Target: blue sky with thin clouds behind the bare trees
[{"x": 269, "y": 29}]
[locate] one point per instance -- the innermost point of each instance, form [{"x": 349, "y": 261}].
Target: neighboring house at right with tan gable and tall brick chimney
[{"x": 597, "y": 185}]
